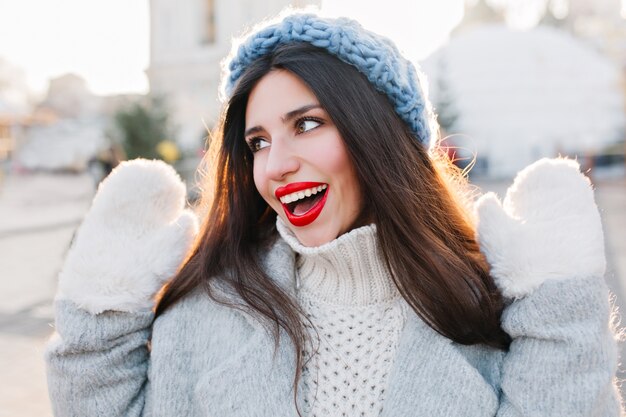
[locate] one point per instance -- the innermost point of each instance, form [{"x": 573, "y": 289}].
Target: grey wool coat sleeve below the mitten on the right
[{"x": 563, "y": 357}]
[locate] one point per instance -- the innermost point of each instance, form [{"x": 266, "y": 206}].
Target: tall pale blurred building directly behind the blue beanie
[{"x": 188, "y": 40}]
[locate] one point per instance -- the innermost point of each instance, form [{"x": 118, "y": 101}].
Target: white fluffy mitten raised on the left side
[{"x": 131, "y": 241}]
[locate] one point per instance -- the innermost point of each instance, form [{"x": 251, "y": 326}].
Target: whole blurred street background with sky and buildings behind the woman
[{"x": 85, "y": 85}]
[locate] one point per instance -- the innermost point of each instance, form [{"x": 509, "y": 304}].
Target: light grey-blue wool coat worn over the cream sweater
[{"x": 204, "y": 359}]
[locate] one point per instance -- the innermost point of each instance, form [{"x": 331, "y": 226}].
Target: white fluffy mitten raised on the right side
[{"x": 547, "y": 228}]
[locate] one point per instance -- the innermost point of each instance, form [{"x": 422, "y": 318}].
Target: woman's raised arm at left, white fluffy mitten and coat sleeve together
[{"x": 132, "y": 240}]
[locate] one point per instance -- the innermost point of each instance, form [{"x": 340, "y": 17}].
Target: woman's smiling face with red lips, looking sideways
[{"x": 301, "y": 167}]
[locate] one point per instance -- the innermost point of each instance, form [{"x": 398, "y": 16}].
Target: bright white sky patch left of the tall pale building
[{"x": 104, "y": 41}]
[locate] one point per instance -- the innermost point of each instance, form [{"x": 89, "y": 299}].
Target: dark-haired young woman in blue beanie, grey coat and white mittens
[{"x": 336, "y": 270}]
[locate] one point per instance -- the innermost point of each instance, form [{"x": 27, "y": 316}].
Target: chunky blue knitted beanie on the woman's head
[{"x": 373, "y": 55}]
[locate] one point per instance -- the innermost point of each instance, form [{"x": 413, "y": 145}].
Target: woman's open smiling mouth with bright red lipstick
[{"x": 302, "y": 202}]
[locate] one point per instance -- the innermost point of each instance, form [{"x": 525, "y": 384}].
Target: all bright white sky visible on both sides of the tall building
[{"x": 107, "y": 41}]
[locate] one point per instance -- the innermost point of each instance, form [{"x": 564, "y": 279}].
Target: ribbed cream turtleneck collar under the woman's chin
[{"x": 349, "y": 270}]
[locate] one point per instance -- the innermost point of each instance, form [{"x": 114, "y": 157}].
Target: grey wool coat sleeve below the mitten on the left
[{"x": 97, "y": 364}]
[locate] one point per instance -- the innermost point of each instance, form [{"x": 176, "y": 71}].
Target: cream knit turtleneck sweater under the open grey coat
[{"x": 358, "y": 314}]
